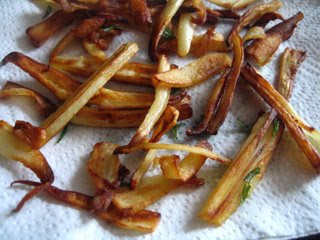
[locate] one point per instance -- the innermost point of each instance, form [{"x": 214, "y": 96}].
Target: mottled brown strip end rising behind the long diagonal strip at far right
[{"x": 290, "y": 61}]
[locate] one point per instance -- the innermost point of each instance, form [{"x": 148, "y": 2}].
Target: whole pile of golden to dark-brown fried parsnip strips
[{"x": 171, "y": 26}]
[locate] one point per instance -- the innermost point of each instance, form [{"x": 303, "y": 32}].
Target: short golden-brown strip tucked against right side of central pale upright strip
[{"x": 167, "y": 121}]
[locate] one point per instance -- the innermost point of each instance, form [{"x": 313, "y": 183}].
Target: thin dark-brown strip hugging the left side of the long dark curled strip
[{"x": 212, "y": 105}]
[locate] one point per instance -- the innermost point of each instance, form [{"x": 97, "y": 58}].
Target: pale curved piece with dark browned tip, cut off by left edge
[{"x": 13, "y": 148}]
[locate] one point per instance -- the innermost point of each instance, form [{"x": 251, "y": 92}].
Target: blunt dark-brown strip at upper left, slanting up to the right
[{"x": 42, "y": 31}]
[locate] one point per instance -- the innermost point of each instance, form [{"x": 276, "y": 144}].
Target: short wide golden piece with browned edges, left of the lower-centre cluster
[{"x": 103, "y": 166}]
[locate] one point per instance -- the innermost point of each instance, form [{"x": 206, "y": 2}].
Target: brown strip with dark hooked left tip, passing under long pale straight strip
[{"x": 62, "y": 86}]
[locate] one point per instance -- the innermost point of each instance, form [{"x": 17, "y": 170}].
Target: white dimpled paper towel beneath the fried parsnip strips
[{"x": 286, "y": 202}]
